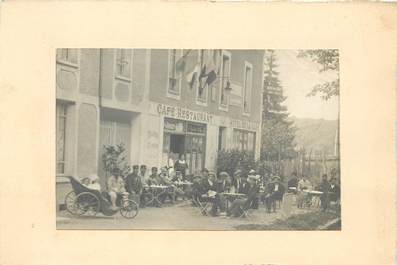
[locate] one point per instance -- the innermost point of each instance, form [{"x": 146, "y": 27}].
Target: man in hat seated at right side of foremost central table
[{"x": 240, "y": 204}]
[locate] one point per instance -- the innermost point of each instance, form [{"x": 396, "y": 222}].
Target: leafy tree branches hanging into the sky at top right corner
[{"x": 329, "y": 60}]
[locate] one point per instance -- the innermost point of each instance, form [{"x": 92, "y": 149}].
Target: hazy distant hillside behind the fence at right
[{"x": 316, "y": 134}]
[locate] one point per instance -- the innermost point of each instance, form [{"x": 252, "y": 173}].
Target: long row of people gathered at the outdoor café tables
[{"x": 227, "y": 195}]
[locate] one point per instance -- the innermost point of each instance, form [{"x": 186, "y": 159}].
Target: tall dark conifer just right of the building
[{"x": 278, "y": 132}]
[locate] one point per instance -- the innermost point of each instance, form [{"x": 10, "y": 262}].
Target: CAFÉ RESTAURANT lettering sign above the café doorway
[{"x": 183, "y": 114}]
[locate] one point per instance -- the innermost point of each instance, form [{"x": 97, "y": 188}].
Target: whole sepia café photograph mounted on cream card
[{"x": 197, "y": 139}]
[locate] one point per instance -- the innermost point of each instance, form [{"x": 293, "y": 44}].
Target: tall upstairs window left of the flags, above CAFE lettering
[{"x": 175, "y": 69}]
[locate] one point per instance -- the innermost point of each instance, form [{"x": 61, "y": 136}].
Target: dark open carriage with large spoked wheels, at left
[{"x": 84, "y": 201}]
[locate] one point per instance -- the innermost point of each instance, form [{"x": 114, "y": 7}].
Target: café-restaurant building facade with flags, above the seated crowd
[{"x": 159, "y": 103}]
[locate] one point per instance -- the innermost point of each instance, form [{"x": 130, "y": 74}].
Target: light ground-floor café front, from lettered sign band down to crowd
[{"x": 200, "y": 135}]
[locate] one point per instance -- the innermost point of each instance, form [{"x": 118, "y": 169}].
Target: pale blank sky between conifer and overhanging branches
[{"x": 298, "y": 76}]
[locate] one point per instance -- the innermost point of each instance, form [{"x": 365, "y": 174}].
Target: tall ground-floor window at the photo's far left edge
[{"x": 61, "y": 111}]
